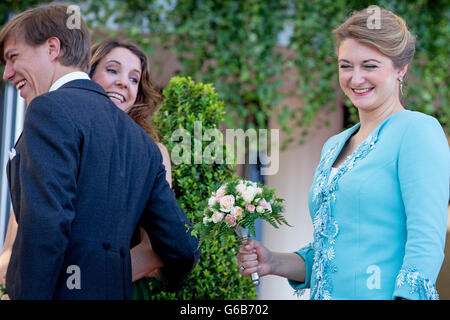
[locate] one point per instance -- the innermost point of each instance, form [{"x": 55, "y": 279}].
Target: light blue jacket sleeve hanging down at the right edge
[{"x": 423, "y": 173}]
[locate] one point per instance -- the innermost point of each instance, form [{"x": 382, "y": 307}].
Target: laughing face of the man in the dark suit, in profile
[{"x": 27, "y": 67}]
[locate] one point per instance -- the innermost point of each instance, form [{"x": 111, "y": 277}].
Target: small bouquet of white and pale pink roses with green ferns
[{"x": 234, "y": 208}]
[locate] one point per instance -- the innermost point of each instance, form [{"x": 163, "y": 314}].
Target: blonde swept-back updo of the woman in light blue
[{"x": 389, "y": 35}]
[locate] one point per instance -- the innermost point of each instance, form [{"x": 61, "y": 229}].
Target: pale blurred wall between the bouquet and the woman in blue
[{"x": 292, "y": 182}]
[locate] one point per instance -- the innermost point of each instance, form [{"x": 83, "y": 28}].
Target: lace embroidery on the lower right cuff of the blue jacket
[{"x": 424, "y": 287}]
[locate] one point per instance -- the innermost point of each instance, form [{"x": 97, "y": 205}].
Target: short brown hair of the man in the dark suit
[{"x": 36, "y": 25}]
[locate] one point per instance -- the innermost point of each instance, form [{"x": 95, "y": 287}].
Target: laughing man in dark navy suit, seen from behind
[{"x": 83, "y": 174}]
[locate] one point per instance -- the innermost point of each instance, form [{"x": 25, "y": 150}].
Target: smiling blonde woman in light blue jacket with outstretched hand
[{"x": 380, "y": 193}]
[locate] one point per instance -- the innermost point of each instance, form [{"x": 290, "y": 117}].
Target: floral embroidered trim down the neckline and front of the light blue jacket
[{"x": 325, "y": 227}]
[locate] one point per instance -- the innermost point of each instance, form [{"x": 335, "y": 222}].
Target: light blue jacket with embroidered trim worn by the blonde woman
[{"x": 380, "y": 222}]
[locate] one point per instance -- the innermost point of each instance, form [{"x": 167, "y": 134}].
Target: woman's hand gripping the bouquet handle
[{"x": 254, "y": 257}]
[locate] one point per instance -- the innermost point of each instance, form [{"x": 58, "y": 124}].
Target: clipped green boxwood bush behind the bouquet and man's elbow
[{"x": 216, "y": 275}]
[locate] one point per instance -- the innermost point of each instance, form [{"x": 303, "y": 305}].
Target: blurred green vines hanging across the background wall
[{"x": 234, "y": 44}]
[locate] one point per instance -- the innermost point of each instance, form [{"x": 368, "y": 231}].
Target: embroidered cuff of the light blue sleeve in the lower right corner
[{"x": 412, "y": 285}]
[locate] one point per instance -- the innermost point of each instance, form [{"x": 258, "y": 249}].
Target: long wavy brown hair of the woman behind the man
[{"x": 147, "y": 99}]
